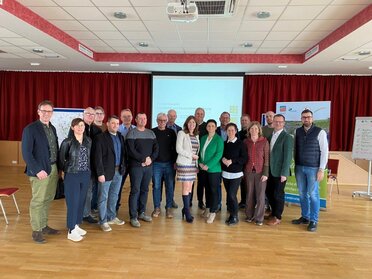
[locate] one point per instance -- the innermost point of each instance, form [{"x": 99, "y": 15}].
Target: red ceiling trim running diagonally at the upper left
[{"x": 38, "y": 22}]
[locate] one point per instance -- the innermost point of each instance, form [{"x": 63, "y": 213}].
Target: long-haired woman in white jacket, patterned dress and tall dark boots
[{"x": 187, "y": 147}]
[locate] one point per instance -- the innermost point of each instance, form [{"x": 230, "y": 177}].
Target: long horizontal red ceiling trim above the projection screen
[{"x": 199, "y": 58}]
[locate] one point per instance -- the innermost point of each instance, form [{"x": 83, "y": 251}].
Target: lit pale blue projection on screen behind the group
[{"x": 185, "y": 93}]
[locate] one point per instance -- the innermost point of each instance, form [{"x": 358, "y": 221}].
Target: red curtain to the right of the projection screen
[{"x": 350, "y": 96}]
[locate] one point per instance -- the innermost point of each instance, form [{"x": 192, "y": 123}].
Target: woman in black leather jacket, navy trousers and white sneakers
[{"x": 74, "y": 160}]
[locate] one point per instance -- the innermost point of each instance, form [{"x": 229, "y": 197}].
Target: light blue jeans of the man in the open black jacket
[{"x": 107, "y": 198}]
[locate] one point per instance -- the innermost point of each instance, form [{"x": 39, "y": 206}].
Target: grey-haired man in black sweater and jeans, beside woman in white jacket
[{"x": 163, "y": 166}]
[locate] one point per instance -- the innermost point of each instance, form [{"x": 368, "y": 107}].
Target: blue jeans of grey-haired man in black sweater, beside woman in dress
[{"x": 160, "y": 170}]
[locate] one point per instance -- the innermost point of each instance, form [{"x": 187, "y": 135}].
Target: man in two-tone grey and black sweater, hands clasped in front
[{"x": 143, "y": 149}]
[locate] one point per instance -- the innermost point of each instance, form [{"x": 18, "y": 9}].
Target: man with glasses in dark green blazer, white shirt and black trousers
[{"x": 281, "y": 148}]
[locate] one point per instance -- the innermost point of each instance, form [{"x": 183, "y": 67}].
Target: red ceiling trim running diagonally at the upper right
[{"x": 351, "y": 25}]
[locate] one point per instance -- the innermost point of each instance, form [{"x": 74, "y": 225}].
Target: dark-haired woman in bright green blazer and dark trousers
[{"x": 211, "y": 150}]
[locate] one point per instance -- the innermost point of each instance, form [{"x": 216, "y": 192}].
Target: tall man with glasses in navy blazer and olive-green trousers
[{"x": 40, "y": 150}]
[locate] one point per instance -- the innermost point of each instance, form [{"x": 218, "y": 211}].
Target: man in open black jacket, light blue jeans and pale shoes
[{"x": 109, "y": 162}]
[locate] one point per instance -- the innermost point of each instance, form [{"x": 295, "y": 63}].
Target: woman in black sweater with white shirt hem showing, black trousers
[{"x": 234, "y": 158}]
